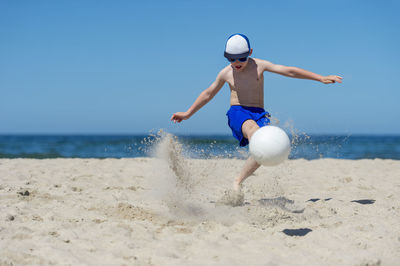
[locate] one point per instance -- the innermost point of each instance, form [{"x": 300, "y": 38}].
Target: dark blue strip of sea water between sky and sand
[{"x": 211, "y": 146}]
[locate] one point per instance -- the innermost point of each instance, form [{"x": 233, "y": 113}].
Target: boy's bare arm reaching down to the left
[{"x": 202, "y": 100}]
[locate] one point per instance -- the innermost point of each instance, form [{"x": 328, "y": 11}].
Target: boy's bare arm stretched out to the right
[{"x": 296, "y": 72}]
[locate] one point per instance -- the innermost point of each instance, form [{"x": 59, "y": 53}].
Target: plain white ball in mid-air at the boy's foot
[{"x": 269, "y": 145}]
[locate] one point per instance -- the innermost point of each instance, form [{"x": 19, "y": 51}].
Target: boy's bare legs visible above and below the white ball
[{"x": 248, "y": 129}]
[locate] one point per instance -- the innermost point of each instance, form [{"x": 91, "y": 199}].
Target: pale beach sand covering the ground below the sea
[{"x": 175, "y": 211}]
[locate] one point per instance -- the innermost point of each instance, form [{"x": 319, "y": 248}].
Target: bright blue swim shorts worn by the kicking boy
[{"x": 238, "y": 114}]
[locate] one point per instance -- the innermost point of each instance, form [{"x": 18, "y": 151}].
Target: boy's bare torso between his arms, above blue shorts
[{"x": 247, "y": 86}]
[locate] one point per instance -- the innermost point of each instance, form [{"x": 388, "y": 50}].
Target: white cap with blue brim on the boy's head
[{"x": 237, "y": 46}]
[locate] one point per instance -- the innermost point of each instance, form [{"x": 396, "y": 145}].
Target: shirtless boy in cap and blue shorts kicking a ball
[{"x": 246, "y": 81}]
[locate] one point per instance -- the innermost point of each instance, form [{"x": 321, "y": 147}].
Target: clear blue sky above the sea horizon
[{"x": 127, "y": 66}]
